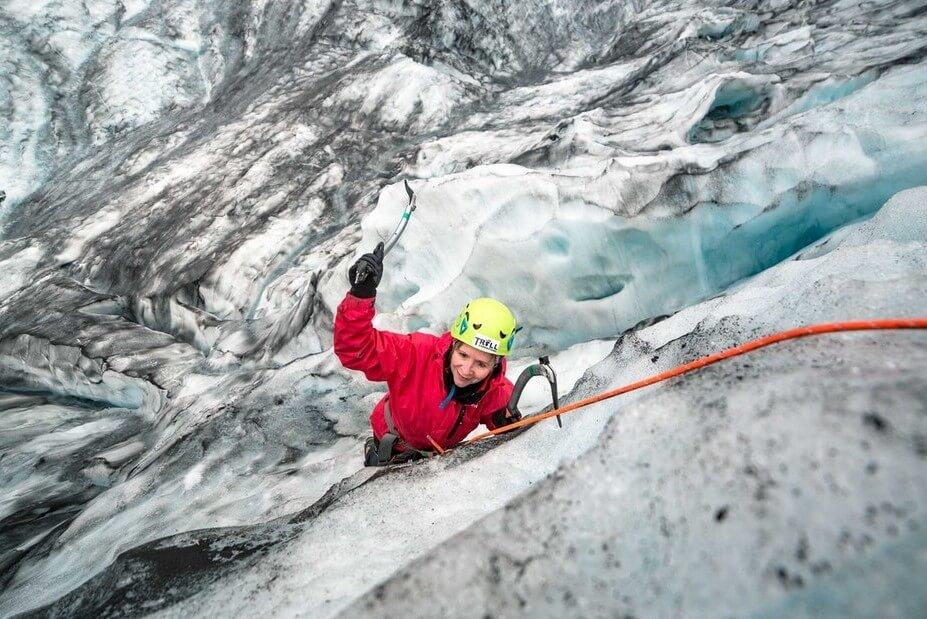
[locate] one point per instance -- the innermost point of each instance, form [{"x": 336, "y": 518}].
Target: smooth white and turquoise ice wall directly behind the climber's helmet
[{"x": 640, "y": 237}]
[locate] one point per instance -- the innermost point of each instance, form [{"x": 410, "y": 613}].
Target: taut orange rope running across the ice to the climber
[{"x": 830, "y": 327}]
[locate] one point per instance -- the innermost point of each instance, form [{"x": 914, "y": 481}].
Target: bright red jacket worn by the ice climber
[{"x": 413, "y": 368}]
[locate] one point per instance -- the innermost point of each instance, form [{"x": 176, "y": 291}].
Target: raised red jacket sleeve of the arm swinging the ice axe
[{"x": 378, "y": 354}]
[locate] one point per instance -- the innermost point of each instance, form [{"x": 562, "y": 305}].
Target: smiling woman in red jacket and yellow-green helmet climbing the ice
[{"x": 439, "y": 387}]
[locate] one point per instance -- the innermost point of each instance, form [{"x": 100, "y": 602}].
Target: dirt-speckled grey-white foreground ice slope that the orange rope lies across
[{"x": 768, "y": 484}]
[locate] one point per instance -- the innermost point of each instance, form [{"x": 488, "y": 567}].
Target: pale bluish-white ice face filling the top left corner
[{"x": 74, "y": 75}]
